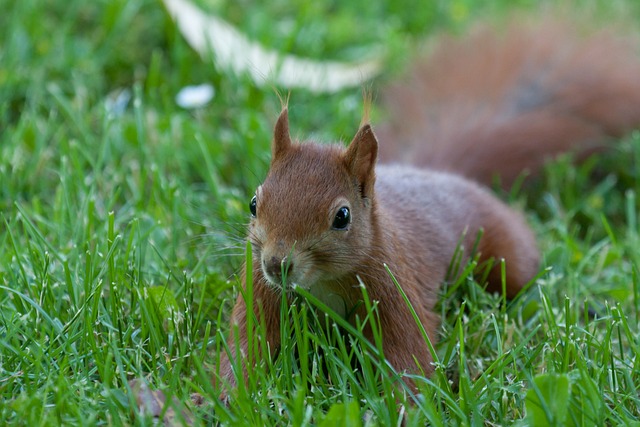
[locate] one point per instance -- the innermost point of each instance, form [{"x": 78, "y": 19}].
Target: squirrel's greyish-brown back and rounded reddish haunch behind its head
[{"x": 435, "y": 214}]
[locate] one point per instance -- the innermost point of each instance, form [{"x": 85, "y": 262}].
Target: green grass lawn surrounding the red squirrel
[{"x": 120, "y": 235}]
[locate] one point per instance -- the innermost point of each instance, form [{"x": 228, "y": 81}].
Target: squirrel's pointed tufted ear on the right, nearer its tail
[{"x": 360, "y": 159}]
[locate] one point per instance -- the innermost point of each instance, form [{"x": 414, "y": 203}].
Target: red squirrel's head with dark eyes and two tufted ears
[{"x": 311, "y": 217}]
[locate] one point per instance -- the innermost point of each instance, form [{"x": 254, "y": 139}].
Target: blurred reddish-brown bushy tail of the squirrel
[{"x": 502, "y": 101}]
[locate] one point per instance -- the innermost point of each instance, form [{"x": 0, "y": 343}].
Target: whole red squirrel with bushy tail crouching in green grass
[{"x": 491, "y": 104}]
